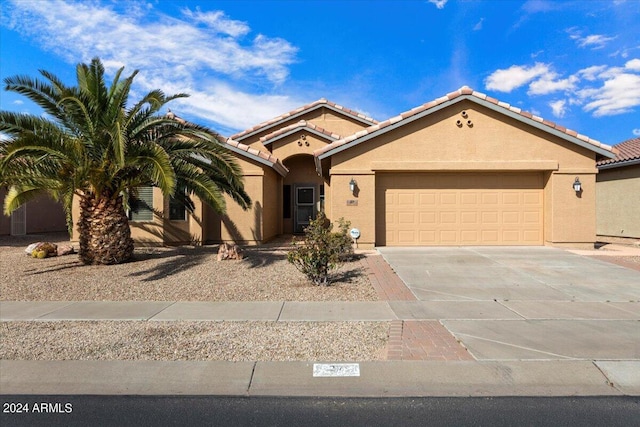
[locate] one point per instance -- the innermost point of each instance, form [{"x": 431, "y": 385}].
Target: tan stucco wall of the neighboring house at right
[{"x": 618, "y": 202}]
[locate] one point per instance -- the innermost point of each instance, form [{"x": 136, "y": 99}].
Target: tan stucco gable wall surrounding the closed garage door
[{"x": 494, "y": 142}]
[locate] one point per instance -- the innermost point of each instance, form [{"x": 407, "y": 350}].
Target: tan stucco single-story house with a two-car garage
[{"x": 464, "y": 169}]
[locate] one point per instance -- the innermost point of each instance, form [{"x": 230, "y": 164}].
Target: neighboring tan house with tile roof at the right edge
[{"x": 618, "y": 192}]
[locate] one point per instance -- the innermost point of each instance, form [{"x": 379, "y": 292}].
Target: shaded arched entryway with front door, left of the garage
[{"x": 302, "y": 193}]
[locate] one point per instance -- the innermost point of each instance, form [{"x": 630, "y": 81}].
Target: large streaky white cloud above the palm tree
[{"x": 189, "y": 53}]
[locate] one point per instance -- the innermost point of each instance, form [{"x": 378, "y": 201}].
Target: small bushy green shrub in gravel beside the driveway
[{"x": 321, "y": 250}]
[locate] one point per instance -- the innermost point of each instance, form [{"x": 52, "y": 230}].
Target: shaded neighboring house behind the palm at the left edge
[{"x": 41, "y": 215}]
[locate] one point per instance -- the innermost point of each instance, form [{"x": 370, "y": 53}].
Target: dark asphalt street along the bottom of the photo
[{"x": 301, "y": 411}]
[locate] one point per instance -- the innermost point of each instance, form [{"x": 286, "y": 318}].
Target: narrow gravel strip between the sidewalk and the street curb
[{"x": 231, "y": 341}]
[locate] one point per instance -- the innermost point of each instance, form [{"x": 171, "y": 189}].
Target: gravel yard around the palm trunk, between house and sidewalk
[{"x": 170, "y": 274}]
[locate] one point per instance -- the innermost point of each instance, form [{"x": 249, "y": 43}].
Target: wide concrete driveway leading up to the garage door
[{"x": 523, "y": 303}]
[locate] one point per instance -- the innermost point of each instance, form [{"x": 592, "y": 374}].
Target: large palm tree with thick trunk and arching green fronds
[{"x": 94, "y": 145}]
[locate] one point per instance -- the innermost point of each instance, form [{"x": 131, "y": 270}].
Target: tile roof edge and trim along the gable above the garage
[{"x": 466, "y": 92}]
